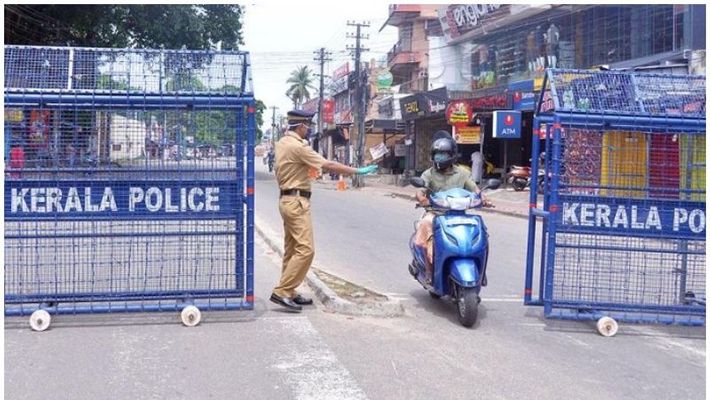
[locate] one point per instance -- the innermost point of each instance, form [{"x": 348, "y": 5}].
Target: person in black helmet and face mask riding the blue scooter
[{"x": 444, "y": 175}]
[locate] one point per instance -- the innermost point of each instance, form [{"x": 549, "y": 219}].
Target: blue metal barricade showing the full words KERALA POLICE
[{"x": 129, "y": 180}]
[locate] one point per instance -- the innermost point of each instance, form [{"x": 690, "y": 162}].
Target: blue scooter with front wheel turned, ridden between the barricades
[{"x": 460, "y": 250}]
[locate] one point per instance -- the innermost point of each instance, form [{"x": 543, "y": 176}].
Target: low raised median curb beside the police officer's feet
[{"x": 326, "y": 295}]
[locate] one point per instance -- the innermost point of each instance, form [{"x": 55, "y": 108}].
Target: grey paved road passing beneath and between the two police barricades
[{"x": 512, "y": 352}]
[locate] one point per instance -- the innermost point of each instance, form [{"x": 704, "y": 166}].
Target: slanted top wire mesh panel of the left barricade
[{"x": 126, "y": 70}]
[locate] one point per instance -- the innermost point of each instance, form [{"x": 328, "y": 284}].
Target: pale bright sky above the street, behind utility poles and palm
[{"x": 281, "y": 37}]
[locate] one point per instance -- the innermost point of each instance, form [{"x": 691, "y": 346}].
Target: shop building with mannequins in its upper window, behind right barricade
[{"x": 509, "y": 48}]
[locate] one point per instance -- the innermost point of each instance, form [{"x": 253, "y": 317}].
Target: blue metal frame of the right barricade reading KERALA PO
[{"x": 631, "y": 115}]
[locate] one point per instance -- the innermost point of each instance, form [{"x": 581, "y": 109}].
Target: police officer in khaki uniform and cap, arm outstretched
[{"x": 294, "y": 158}]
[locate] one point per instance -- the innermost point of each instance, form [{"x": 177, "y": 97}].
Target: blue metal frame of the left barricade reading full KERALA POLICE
[{"x": 236, "y": 97}]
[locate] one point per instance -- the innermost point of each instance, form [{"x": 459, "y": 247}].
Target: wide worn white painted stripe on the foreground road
[{"x": 310, "y": 368}]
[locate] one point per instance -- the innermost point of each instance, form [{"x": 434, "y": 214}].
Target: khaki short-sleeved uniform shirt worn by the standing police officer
[{"x": 294, "y": 158}]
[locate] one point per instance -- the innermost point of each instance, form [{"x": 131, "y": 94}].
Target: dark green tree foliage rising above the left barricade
[{"x": 125, "y": 25}]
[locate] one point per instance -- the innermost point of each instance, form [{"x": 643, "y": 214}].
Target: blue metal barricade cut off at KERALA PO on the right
[{"x": 623, "y": 216}]
